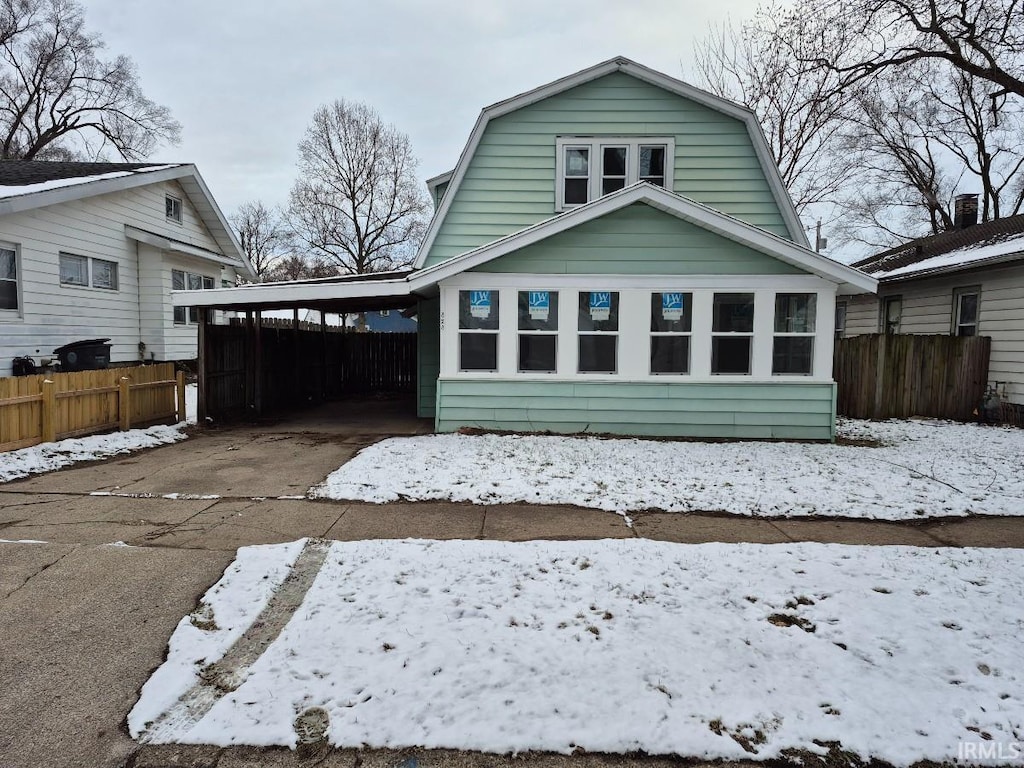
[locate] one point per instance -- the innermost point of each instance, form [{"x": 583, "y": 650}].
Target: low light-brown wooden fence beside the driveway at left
[{"x": 53, "y": 407}]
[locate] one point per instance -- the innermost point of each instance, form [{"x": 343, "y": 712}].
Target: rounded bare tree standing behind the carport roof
[{"x": 358, "y": 201}]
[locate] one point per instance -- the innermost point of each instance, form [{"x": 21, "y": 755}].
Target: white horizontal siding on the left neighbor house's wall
[{"x": 53, "y": 315}]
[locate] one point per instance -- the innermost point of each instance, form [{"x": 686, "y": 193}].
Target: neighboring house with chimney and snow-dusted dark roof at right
[{"x": 967, "y": 282}]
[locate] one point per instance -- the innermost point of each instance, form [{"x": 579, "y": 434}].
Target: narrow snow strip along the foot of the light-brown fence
[{"x": 51, "y": 456}]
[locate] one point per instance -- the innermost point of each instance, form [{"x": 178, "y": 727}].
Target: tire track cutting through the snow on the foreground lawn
[{"x": 228, "y": 674}]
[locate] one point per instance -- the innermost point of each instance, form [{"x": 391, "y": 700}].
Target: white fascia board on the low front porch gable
[{"x": 696, "y": 214}]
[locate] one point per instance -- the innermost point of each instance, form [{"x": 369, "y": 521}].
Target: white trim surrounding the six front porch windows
[{"x": 633, "y": 358}]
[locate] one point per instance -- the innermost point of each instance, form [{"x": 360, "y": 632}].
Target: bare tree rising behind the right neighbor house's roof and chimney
[{"x": 923, "y": 134}]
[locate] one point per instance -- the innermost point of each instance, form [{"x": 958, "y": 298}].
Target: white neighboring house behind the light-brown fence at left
[{"x": 93, "y": 250}]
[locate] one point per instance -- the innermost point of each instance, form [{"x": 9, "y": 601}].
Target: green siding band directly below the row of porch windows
[{"x": 790, "y": 411}]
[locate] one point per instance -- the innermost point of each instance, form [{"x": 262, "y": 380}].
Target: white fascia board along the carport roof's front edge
[{"x": 271, "y": 293}]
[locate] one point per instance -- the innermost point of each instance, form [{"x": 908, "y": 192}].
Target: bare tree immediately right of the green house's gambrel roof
[{"x": 801, "y": 111}]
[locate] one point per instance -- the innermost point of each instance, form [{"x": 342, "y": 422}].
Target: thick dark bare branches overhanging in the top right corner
[{"x": 859, "y": 38}]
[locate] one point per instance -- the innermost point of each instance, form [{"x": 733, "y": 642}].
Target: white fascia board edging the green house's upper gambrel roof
[{"x": 621, "y": 64}]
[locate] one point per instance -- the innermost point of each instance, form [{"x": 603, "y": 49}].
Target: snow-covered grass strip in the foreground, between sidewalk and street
[{"x": 709, "y": 652}]
